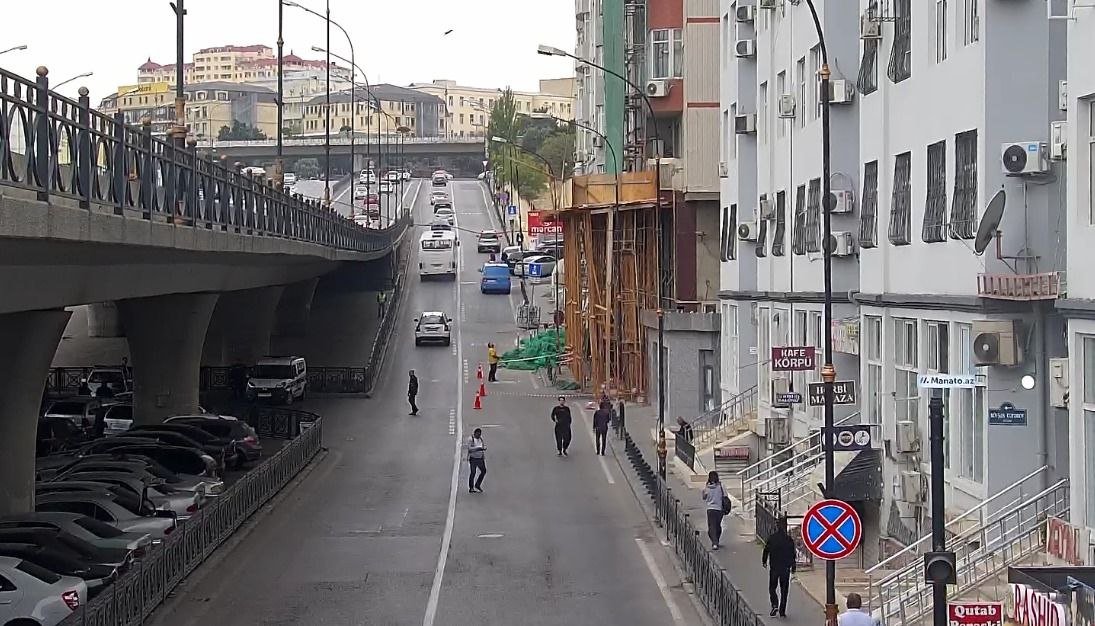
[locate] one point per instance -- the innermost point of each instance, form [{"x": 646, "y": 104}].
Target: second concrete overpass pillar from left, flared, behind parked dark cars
[{"x": 167, "y": 334}]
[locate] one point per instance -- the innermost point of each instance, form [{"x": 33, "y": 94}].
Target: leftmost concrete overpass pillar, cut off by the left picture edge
[{"x": 28, "y": 342}]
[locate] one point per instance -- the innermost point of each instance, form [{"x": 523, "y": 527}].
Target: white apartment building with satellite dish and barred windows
[{"x": 927, "y": 96}]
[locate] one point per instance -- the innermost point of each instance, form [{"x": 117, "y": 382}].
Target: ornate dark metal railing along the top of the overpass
[{"x": 59, "y": 147}]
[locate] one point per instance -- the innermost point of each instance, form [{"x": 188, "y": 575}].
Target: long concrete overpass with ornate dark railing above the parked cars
[{"x": 187, "y": 256}]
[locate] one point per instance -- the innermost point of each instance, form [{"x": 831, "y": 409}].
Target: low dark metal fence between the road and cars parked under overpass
[{"x": 134, "y": 597}]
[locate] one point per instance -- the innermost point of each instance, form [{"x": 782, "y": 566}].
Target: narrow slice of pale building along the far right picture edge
[{"x": 1080, "y": 305}]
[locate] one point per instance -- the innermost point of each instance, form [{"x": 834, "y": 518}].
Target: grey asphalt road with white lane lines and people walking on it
[{"x": 384, "y": 532}]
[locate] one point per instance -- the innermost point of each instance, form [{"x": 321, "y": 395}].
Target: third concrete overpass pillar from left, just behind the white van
[{"x": 241, "y": 326}]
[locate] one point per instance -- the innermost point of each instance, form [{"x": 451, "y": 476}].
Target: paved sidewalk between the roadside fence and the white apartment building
[{"x": 740, "y": 553}]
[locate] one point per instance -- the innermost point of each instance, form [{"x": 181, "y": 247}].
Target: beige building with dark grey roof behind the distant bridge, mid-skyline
[{"x": 400, "y": 107}]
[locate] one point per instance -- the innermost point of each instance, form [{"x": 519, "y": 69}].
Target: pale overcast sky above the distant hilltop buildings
[{"x": 493, "y": 42}]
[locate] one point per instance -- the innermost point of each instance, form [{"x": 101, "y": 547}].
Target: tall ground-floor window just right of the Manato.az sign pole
[{"x": 969, "y": 439}]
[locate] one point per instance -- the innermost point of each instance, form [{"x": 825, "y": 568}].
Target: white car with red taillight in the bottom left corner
[{"x": 32, "y": 595}]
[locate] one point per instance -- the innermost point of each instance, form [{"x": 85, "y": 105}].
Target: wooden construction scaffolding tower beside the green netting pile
[{"x": 610, "y": 273}]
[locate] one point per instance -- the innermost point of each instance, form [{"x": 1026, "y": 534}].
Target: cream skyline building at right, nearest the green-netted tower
[{"x": 469, "y": 108}]
